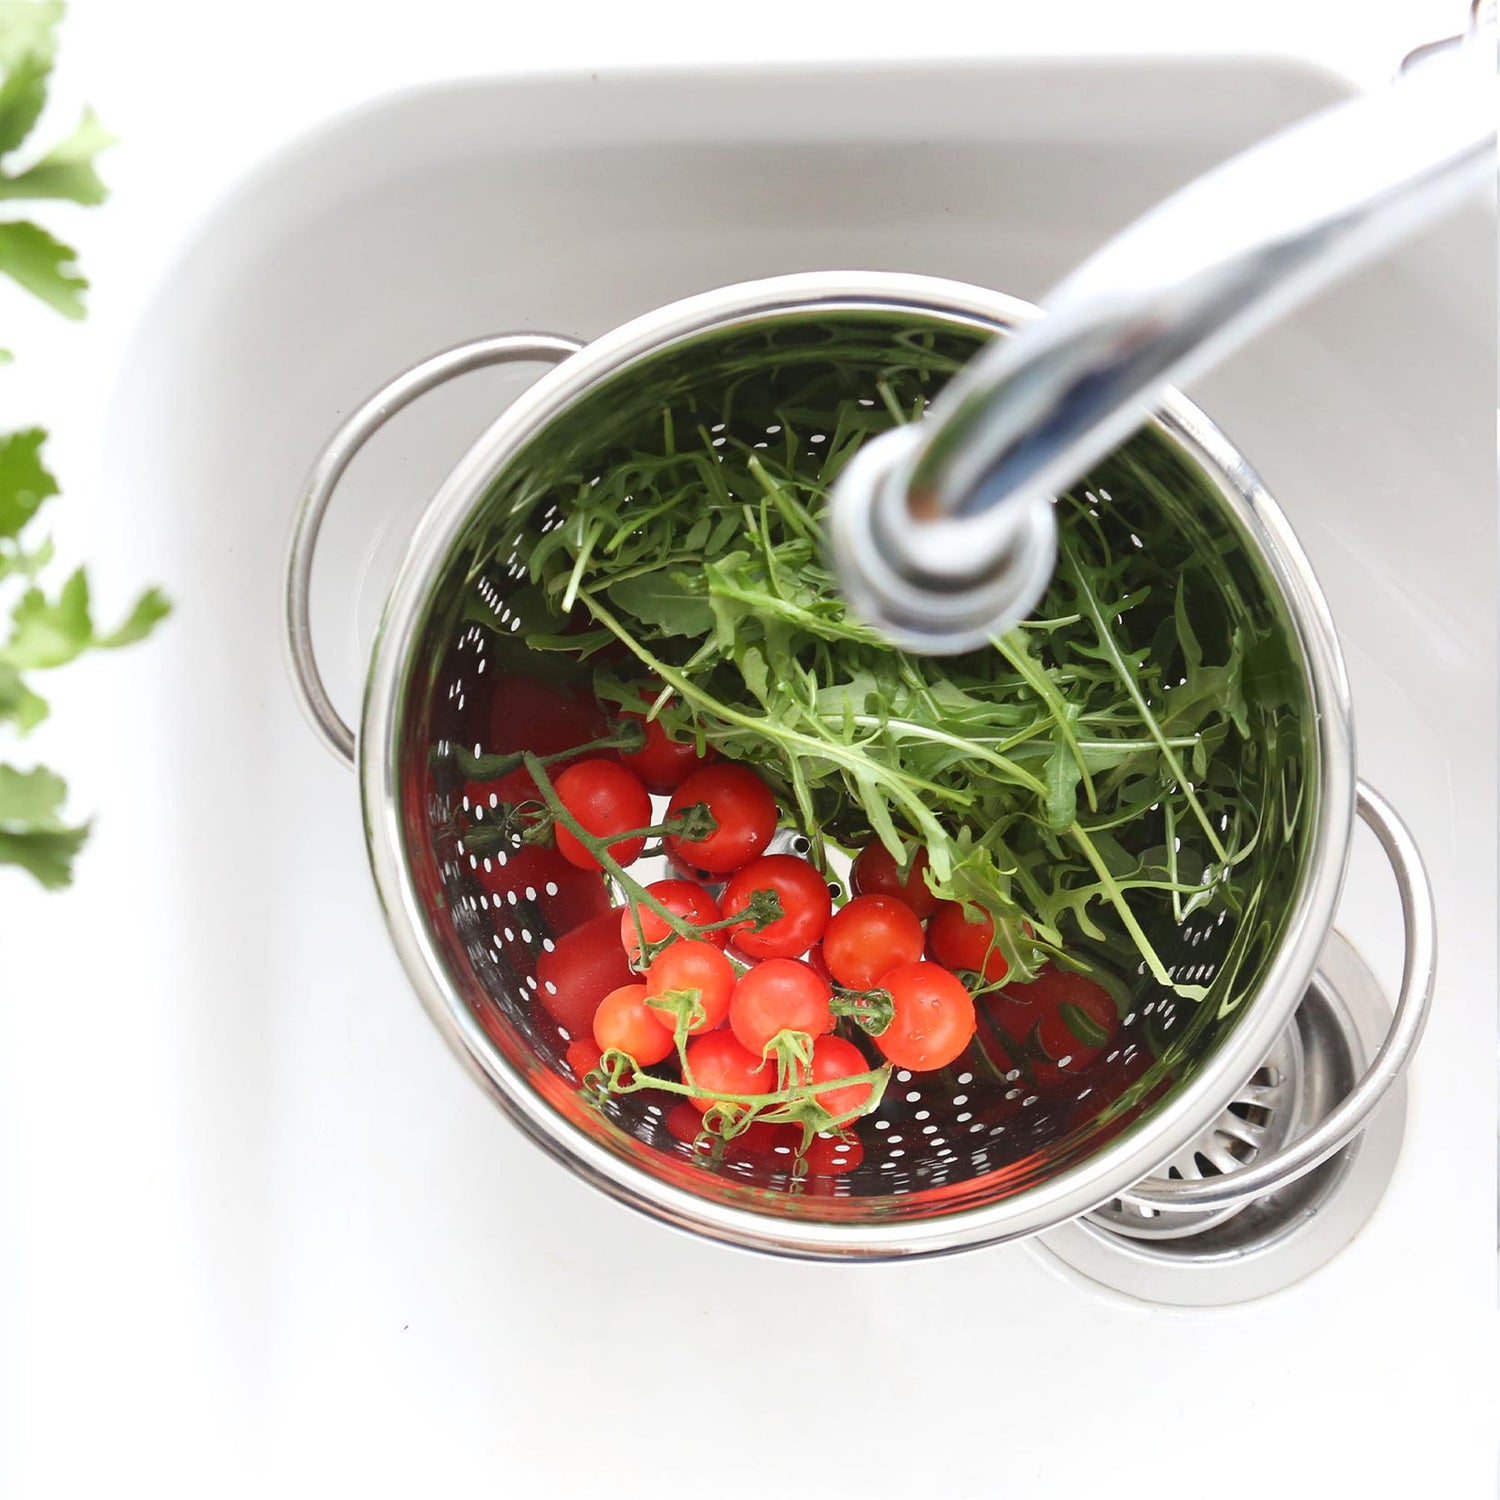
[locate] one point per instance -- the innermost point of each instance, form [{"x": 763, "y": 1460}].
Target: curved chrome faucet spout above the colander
[{"x": 941, "y": 532}]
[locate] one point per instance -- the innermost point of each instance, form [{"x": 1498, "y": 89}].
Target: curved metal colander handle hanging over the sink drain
[{"x": 1420, "y": 925}]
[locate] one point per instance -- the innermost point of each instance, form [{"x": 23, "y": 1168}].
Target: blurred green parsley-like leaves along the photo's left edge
[{"x": 47, "y": 629}]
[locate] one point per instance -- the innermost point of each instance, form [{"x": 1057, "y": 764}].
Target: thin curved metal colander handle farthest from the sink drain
[{"x": 338, "y": 454}]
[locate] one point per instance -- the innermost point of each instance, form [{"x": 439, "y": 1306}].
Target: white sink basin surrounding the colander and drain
[{"x": 365, "y": 1276}]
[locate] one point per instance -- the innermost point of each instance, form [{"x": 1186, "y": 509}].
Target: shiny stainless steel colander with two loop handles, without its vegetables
[{"x": 952, "y": 1160}]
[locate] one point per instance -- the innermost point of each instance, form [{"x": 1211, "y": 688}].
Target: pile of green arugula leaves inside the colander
[{"x": 1088, "y": 782}]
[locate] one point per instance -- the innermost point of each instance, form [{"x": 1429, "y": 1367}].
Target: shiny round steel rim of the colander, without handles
[{"x": 1079, "y": 1189}]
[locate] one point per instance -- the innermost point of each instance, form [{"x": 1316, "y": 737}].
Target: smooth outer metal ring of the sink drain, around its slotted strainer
[{"x": 1286, "y": 1237}]
